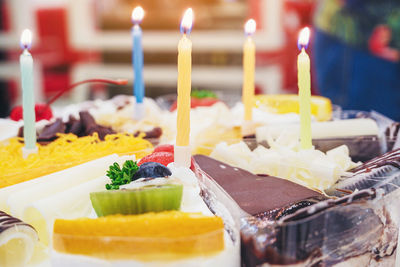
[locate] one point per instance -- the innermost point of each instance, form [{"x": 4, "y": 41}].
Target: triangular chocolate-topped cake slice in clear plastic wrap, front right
[{"x": 294, "y": 226}]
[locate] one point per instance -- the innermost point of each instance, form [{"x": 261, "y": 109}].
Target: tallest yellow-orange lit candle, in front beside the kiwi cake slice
[{"x": 182, "y": 149}]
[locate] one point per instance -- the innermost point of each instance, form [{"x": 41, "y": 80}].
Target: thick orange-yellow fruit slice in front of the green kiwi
[{"x": 150, "y": 236}]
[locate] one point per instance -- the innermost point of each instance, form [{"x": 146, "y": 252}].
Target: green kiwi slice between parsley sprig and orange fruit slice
[{"x": 136, "y": 201}]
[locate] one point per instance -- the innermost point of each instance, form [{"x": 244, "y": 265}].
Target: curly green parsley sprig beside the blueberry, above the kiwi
[{"x": 120, "y": 176}]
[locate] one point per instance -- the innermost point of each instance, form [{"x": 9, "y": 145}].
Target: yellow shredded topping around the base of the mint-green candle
[{"x": 66, "y": 151}]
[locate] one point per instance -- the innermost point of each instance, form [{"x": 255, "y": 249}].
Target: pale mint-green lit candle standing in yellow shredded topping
[{"x": 28, "y": 100}]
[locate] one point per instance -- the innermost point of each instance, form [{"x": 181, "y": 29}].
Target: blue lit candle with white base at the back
[{"x": 137, "y": 61}]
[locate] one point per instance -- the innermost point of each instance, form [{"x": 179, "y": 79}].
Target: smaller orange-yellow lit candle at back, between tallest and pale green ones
[{"x": 249, "y": 61}]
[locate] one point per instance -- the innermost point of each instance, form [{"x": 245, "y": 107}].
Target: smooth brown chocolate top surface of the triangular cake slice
[{"x": 255, "y": 194}]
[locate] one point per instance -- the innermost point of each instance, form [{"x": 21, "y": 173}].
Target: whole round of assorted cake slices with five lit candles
[{"x": 83, "y": 185}]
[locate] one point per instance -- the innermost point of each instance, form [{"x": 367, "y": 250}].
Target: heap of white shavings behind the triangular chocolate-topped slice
[{"x": 311, "y": 168}]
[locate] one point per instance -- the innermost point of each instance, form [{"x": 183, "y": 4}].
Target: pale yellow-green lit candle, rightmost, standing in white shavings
[{"x": 304, "y": 84}]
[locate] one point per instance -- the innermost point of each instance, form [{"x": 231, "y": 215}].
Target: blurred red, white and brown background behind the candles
[{"x": 76, "y": 40}]
